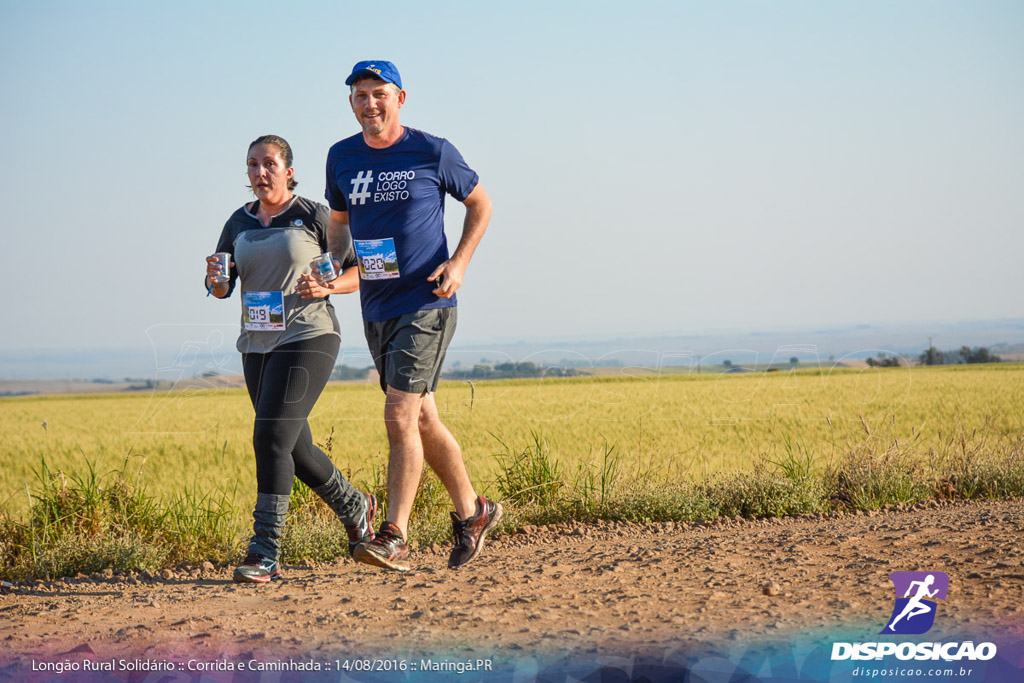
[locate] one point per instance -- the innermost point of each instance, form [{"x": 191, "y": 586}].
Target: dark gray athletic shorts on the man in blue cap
[{"x": 409, "y": 351}]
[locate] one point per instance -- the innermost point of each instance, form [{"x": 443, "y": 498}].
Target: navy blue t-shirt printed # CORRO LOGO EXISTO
[{"x": 396, "y": 203}]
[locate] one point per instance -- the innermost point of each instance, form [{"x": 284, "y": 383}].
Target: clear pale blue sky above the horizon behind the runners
[{"x": 656, "y": 167}]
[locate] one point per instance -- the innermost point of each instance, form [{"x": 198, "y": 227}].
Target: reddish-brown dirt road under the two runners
[{"x": 566, "y": 593}]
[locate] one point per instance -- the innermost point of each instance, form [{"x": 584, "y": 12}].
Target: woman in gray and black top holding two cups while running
[{"x": 289, "y": 343}]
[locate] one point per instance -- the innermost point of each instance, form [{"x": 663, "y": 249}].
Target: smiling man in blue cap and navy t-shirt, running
[{"x": 388, "y": 186}]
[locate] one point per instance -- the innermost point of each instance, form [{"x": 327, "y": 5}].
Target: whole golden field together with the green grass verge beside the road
[{"x": 637, "y": 448}]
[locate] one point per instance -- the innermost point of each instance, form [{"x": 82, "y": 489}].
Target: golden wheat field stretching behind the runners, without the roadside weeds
[{"x": 665, "y": 428}]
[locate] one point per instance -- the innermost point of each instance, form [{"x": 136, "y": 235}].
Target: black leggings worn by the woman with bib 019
[{"x": 284, "y": 386}]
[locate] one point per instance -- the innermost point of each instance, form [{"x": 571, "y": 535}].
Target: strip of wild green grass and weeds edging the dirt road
[{"x": 93, "y": 522}]
